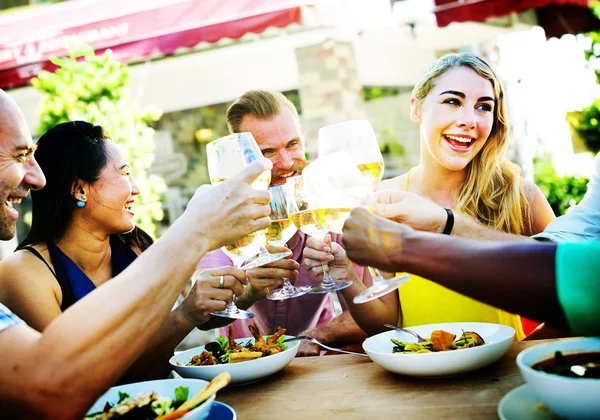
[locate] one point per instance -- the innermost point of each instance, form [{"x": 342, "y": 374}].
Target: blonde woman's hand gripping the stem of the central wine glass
[{"x": 317, "y": 253}]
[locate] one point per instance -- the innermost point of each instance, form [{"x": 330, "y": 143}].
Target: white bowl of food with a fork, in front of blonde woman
[{"x": 449, "y": 349}]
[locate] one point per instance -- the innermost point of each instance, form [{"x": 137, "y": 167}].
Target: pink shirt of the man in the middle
[{"x": 295, "y": 315}]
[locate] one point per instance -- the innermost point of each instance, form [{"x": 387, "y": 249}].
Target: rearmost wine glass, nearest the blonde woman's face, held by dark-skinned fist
[{"x": 357, "y": 138}]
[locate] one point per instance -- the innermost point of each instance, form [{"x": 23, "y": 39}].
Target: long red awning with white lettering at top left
[{"x": 132, "y": 29}]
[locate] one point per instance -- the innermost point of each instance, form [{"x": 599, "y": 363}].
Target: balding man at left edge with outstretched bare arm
[{"x": 59, "y": 373}]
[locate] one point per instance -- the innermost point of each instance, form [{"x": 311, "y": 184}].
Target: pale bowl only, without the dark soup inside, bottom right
[{"x": 570, "y": 398}]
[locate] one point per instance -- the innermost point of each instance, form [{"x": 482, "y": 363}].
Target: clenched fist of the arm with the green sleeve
[{"x": 374, "y": 241}]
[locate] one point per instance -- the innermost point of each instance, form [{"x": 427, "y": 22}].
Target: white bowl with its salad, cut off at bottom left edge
[{"x": 152, "y": 397}]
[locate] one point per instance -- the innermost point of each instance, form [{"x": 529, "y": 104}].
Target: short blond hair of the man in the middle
[{"x": 261, "y": 104}]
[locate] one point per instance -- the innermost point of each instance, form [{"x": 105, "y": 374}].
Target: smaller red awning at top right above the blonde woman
[{"x": 448, "y": 11}]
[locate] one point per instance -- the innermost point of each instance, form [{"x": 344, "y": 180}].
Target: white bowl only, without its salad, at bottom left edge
[{"x": 163, "y": 388}]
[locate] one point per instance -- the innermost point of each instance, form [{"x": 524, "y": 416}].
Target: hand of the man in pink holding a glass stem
[{"x": 270, "y": 275}]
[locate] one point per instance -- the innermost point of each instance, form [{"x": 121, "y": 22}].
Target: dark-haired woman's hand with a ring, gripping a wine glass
[{"x": 206, "y": 296}]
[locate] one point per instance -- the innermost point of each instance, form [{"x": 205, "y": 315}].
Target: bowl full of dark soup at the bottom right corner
[{"x": 576, "y": 396}]
